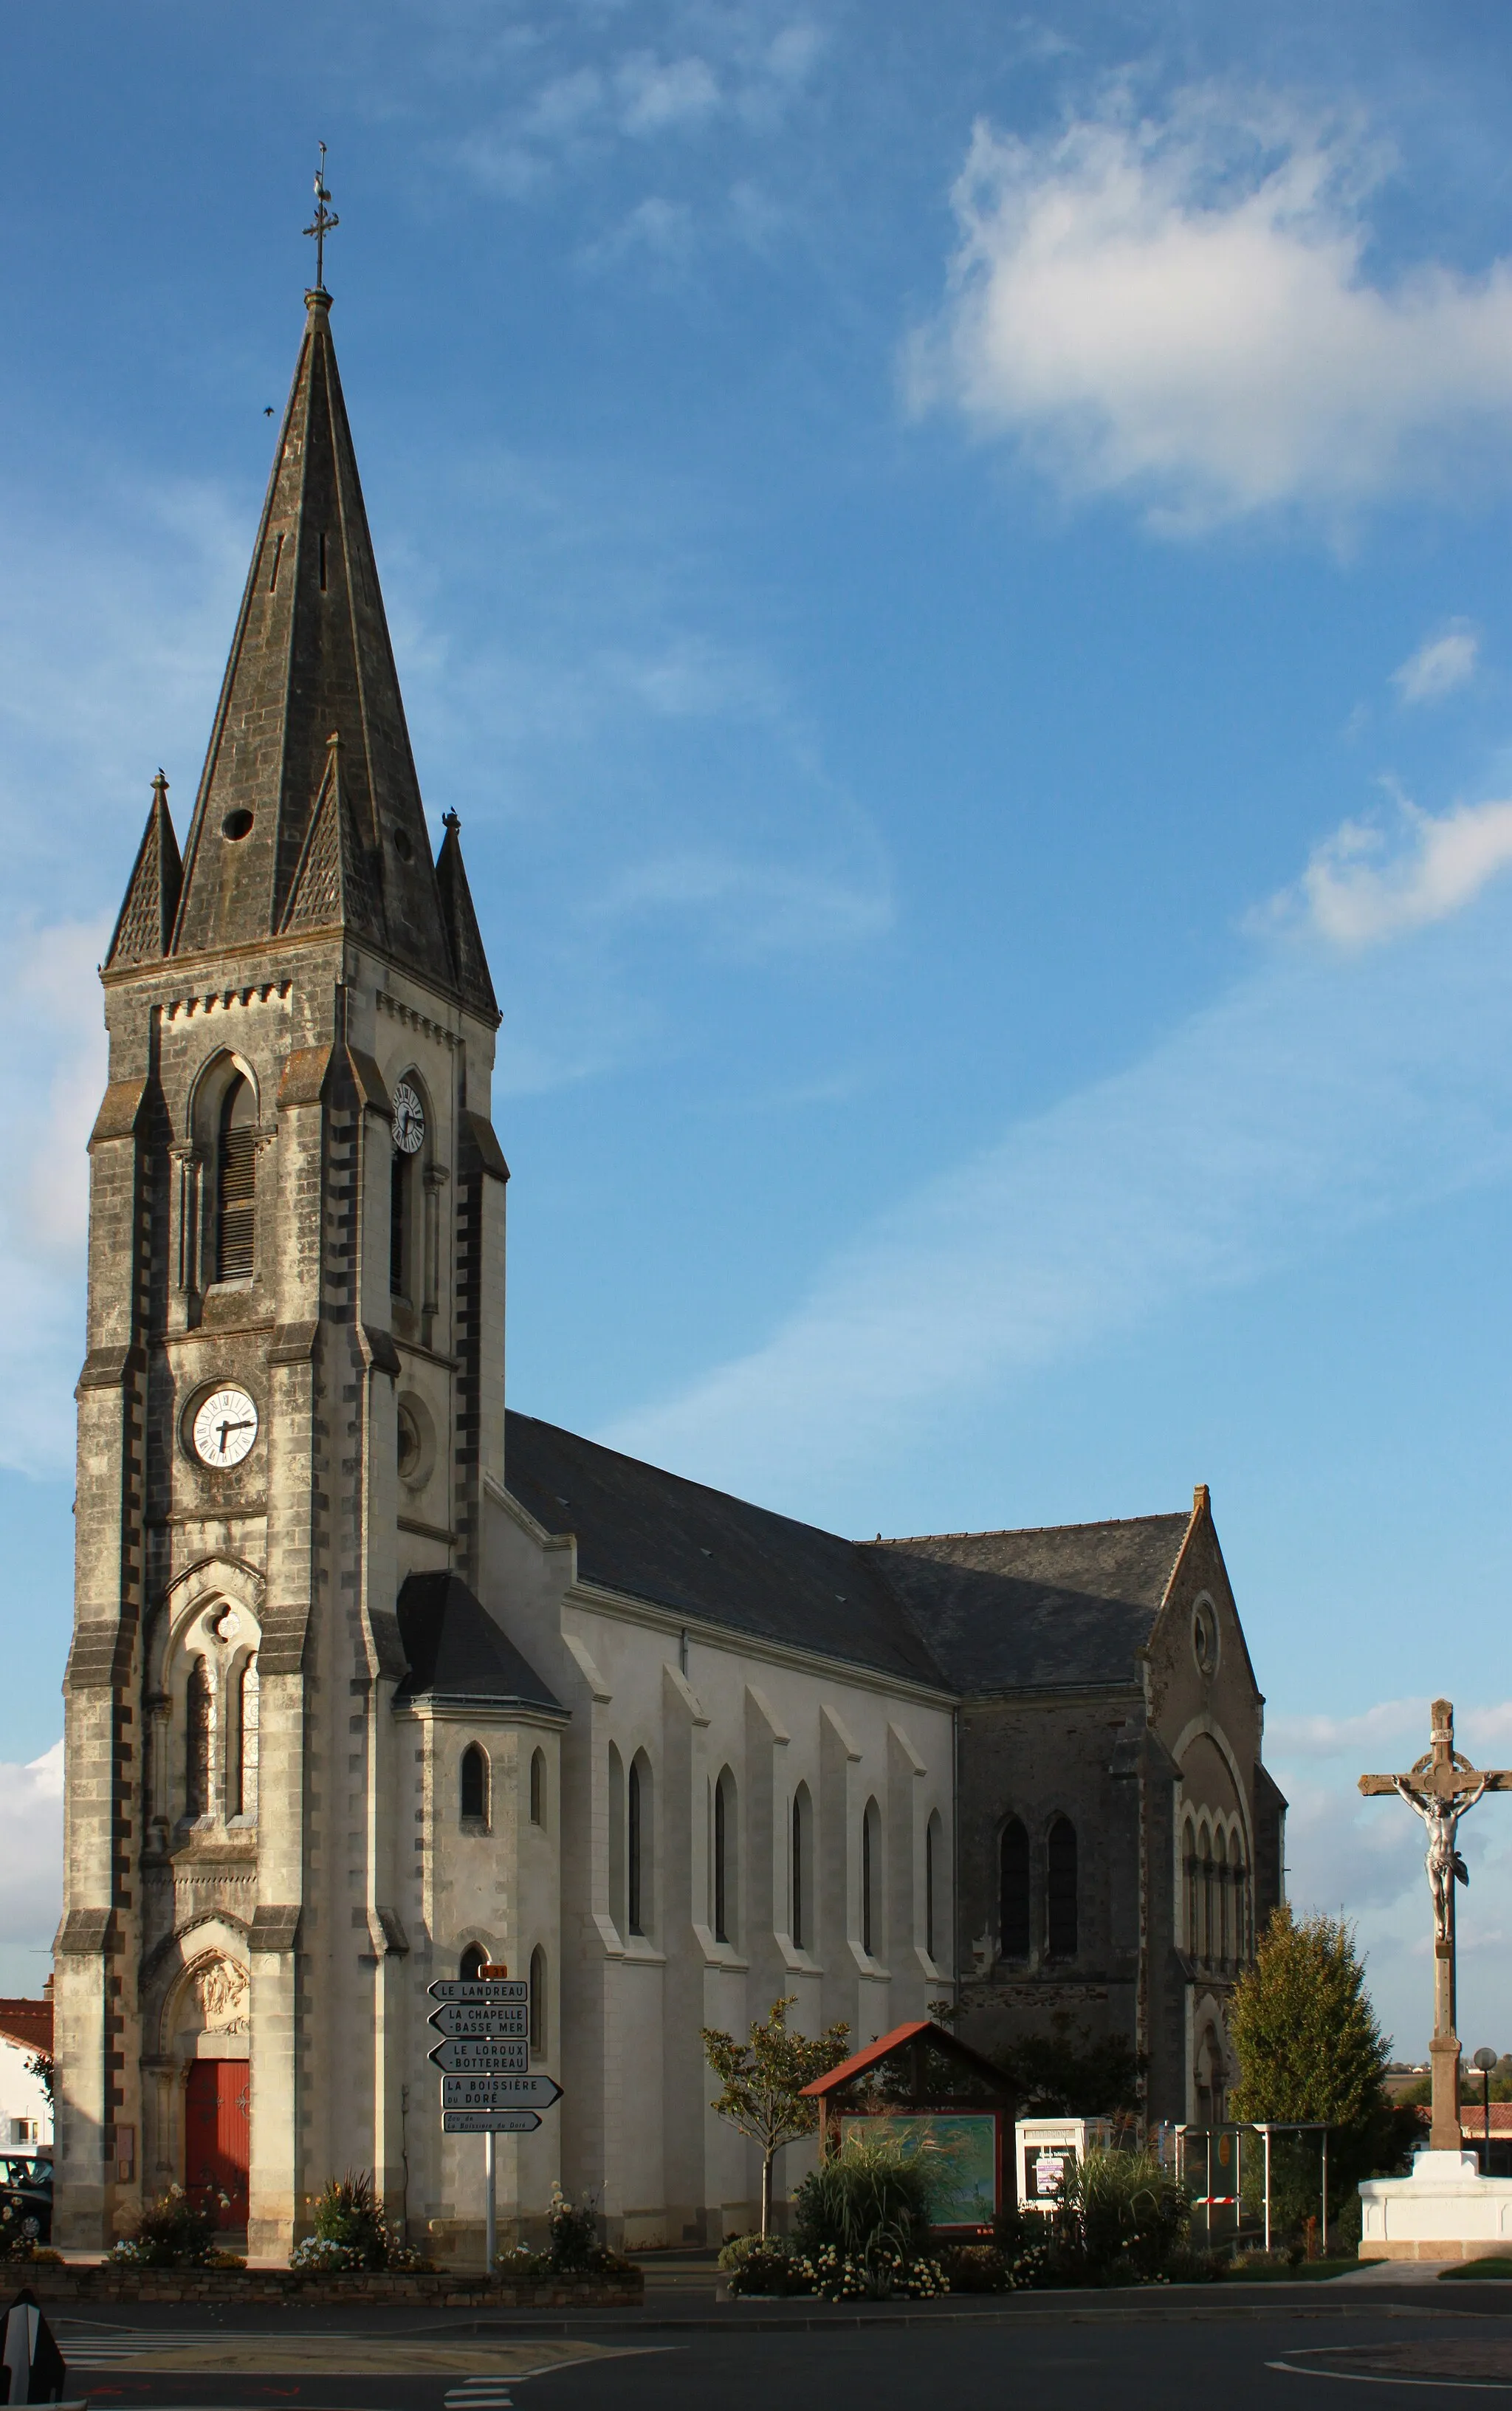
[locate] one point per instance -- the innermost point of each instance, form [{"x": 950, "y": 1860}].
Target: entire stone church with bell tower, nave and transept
[{"x": 375, "y": 1679}]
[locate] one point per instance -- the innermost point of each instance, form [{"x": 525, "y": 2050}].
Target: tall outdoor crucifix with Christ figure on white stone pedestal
[{"x": 1446, "y": 2210}]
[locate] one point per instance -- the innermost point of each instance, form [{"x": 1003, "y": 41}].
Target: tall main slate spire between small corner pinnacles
[{"x": 312, "y": 657}]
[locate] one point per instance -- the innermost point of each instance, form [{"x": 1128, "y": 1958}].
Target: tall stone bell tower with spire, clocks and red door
[{"x": 291, "y": 1400}]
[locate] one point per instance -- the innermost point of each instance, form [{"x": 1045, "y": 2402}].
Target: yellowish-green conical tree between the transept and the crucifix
[{"x": 1311, "y": 2046}]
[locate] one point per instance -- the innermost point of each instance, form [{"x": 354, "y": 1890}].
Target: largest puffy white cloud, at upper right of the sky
[{"x": 1183, "y": 312}]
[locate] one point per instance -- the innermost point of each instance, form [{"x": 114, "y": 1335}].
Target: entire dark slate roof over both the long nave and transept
[{"x": 959, "y": 1612}]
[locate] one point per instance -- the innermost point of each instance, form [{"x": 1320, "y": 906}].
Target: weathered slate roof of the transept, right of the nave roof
[{"x": 1067, "y": 1605}]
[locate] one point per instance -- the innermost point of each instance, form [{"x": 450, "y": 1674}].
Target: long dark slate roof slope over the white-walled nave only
[{"x": 710, "y": 1556}]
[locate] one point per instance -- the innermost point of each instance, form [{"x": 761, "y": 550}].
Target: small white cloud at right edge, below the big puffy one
[{"x": 1359, "y": 888}]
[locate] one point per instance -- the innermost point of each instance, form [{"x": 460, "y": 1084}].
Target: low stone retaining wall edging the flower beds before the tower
[{"x": 100, "y": 2282}]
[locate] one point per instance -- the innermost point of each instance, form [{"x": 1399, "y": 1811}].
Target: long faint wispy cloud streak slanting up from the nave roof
[{"x": 1323, "y": 1093}]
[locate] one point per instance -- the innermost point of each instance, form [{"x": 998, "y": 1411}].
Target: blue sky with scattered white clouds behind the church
[{"x": 956, "y": 570}]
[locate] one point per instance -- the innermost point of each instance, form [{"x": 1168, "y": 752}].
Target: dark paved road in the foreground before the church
[{"x": 1065, "y": 2359}]
